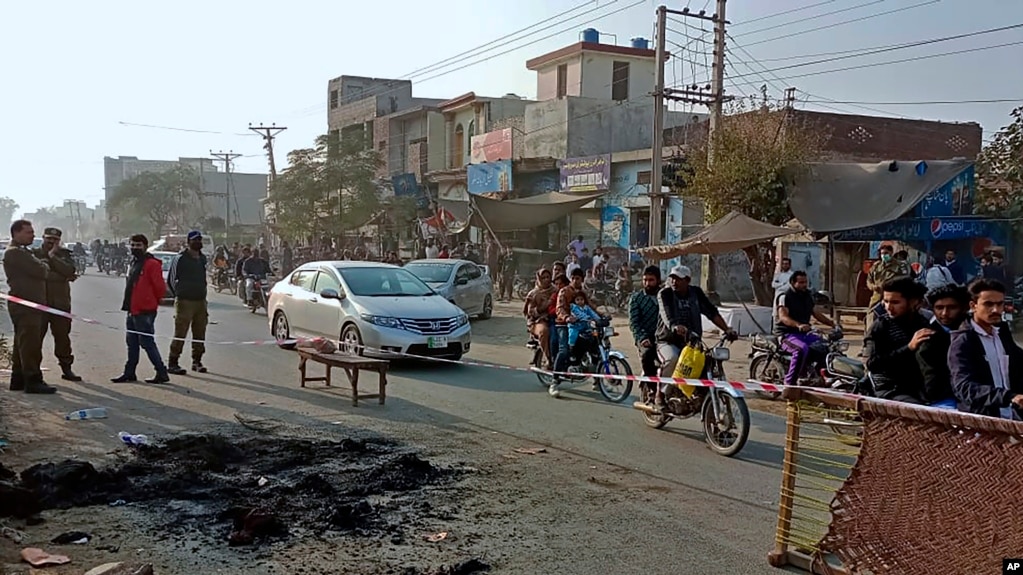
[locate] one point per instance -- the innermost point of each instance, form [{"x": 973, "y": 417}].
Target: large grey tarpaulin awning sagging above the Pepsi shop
[{"x": 839, "y": 197}]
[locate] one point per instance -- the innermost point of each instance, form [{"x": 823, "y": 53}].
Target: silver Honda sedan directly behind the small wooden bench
[{"x": 376, "y": 309}]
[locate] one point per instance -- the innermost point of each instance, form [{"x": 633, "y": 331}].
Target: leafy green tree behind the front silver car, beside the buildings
[{"x": 327, "y": 190}]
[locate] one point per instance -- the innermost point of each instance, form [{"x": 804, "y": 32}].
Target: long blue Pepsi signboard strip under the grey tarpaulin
[{"x": 921, "y": 230}]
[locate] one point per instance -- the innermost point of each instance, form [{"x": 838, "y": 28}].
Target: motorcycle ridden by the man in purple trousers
[{"x": 827, "y": 367}]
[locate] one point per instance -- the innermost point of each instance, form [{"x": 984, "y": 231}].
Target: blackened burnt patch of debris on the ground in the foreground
[{"x": 248, "y": 491}]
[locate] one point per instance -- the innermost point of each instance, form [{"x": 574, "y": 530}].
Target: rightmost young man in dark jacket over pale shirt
[{"x": 987, "y": 365}]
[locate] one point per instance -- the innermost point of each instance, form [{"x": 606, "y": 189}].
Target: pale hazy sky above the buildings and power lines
[{"x": 73, "y": 72}]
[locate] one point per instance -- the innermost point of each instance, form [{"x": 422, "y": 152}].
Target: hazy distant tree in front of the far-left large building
[{"x": 158, "y": 201}]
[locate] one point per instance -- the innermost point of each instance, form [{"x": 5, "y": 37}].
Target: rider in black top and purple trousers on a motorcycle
[{"x": 795, "y": 309}]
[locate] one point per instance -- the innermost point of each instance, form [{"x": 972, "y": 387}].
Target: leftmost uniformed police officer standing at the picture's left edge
[{"x": 27, "y": 280}]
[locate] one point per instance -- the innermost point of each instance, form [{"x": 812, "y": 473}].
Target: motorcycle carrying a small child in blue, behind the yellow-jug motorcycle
[{"x": 601, "y": 360}]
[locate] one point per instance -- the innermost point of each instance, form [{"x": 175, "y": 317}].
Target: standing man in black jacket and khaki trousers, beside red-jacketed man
[{"x": 187, "y": 281}]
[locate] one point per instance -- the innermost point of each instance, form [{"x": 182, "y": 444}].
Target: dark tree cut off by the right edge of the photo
[{"x": 1000, "y": 172}]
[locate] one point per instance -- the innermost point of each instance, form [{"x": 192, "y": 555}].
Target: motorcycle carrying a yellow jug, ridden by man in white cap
[{"x": 723, "y": 411}]
